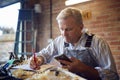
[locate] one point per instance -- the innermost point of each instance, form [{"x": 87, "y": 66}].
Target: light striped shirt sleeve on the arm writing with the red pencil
[{"x": 54, "y": 48}]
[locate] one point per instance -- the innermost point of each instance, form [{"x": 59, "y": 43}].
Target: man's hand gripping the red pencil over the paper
[{"x": 36, "y": 65}]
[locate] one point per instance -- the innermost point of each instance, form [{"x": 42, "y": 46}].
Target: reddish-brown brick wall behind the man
[{"x": 104, "y": 21}]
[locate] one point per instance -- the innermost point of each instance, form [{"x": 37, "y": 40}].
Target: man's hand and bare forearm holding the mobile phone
[{"x": 76, "y": 66}]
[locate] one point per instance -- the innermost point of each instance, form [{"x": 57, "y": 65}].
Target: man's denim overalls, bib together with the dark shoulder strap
[{"x": 86, "y": 56}]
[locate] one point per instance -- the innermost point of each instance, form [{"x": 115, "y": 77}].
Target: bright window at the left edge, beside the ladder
[{"x": 8, "y": 25}]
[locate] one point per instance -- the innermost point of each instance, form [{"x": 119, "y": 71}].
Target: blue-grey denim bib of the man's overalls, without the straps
[{"x": 84, "y": 56}]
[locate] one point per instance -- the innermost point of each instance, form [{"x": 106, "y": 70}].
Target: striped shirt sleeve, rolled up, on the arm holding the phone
[{"x": 106, "y": 65}]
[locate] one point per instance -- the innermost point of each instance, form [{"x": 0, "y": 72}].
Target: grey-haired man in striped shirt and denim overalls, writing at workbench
[{"x": 90, "y": 55}]
